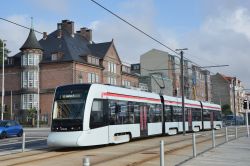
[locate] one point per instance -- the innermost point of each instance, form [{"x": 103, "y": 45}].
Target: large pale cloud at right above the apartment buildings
[{"x": 224, "y": 39}]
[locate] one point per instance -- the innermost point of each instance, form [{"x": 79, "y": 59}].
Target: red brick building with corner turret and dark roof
[{"x": 62, "y": 57}]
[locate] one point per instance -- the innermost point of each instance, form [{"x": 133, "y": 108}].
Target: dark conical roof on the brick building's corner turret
[{"x": 31, "y": 42}]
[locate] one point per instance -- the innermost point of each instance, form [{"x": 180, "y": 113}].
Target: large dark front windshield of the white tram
[{"x": 68, "y": 109}]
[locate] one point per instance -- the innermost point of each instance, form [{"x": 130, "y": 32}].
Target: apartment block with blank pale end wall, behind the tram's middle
[{"x": 166, "y": 68}]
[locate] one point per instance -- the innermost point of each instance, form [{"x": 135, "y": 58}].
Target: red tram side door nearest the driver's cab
[{"x": 143, "y": 121}]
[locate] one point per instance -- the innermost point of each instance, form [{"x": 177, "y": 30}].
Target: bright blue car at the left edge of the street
[{"x": 10, "y": 128}]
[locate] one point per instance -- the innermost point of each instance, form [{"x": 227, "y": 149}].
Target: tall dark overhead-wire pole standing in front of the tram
[{"x": 182, "y": 91}]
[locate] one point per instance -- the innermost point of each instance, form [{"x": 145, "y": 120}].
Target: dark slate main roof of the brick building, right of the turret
[{"x": 72, "y": 48}]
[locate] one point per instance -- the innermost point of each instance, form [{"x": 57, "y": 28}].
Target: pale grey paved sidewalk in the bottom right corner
[{"x": 233, "y": 153}]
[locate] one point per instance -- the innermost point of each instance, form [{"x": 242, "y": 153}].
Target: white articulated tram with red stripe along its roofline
[{"x": 95, "y": 114}]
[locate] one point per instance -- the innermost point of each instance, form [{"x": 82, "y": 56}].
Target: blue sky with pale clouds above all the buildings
[{"x": 216, "y": 32}]
